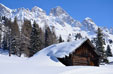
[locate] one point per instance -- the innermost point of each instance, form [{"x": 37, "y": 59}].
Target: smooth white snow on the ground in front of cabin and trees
[{"x": 43, "y": 64}]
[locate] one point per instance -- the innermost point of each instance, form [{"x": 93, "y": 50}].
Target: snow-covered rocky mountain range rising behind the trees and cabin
[{"x": 58, "y": 18}]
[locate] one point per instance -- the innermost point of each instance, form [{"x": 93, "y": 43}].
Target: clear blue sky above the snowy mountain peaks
[{"x": 101, "y": 11}]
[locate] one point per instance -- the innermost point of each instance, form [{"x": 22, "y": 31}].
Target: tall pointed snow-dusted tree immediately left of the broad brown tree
[{"x": 15, "y": 38}]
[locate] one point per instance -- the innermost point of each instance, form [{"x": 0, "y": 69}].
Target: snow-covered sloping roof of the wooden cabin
[{"x": 62, "y": 49}]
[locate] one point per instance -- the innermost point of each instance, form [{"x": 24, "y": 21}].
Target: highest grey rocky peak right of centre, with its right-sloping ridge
[{"x": 61, "y": 16}]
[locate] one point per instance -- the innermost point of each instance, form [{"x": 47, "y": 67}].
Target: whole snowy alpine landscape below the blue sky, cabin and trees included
[{"x": 45, "y": 43}]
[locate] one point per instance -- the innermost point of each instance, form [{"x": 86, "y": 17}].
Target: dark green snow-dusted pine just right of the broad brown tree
[{"x": 35, "y": 40}]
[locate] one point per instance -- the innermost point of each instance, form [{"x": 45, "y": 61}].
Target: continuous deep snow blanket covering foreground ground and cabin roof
[{"x": 45, "y": 62}]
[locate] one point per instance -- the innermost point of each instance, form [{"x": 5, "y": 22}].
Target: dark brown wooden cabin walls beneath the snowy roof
[{"x": 85, "y": 54}]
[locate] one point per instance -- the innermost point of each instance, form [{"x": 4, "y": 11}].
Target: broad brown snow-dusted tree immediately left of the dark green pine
[{"x": 25, "y": 38}]
